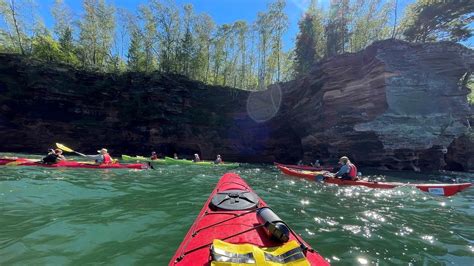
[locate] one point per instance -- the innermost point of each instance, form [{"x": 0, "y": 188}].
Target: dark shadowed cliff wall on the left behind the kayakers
[{"x": 41, "y": 104}]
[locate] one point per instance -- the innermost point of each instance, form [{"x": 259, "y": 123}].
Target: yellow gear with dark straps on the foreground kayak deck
[{"x": 227, "y": 254}]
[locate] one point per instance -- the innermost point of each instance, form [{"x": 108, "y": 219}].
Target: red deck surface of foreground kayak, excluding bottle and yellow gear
[{"x": 231, "y": 226}]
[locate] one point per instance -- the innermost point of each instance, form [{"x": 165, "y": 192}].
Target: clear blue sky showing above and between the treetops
[{"x": 222, "y": 11}]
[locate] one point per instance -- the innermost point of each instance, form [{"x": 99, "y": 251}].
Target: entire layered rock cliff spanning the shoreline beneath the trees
[{"x": 394, "y": 105}]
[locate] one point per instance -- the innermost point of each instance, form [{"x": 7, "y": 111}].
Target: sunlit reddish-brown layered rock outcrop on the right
[{"x": 395, "y": 105}]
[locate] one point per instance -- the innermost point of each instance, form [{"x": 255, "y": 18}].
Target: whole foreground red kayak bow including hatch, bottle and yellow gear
[{"x": 236, "y": 227}]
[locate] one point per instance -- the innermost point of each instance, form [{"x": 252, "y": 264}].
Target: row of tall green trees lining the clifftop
[{"x": 171, "y": 38}]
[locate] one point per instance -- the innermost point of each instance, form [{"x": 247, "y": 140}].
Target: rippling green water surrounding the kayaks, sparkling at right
[{"x": 125, "y": 217}]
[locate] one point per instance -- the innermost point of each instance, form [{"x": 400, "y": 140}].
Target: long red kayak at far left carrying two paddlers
[{"x": 69, "y": 164}]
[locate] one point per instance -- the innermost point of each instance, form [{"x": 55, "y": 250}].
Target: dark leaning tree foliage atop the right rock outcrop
[{"x": 434, "y": 20}]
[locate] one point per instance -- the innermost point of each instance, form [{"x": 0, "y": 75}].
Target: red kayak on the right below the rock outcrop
[{"x": 436, "y": 189}]
